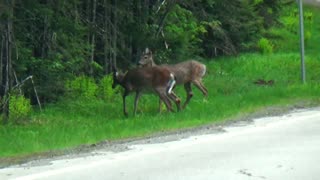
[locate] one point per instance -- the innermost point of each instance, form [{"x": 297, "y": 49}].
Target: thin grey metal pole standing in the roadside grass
[{"x": 303, "y": 71}]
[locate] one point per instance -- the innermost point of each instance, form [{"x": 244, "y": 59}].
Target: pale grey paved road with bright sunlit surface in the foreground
[{"x": 283, "y": 147}]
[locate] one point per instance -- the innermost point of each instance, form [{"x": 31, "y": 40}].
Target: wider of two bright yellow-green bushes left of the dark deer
[{"x": 82, "y": 87}]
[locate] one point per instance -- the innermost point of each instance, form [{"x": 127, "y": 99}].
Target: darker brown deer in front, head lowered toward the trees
[{"x": 155, "y": 79}]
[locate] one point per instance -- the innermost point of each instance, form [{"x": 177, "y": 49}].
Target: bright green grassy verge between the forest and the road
[{"x": 232, "y": 94}]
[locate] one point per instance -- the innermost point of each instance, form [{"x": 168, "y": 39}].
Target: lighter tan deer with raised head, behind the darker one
[{"x": 185, "y": 72}]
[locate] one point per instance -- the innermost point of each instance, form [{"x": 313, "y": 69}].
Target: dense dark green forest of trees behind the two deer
[{"x": 47, "y": 44}]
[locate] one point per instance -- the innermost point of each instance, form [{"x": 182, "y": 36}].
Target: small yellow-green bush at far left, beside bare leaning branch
[{"x": 19, "y": 108}]
